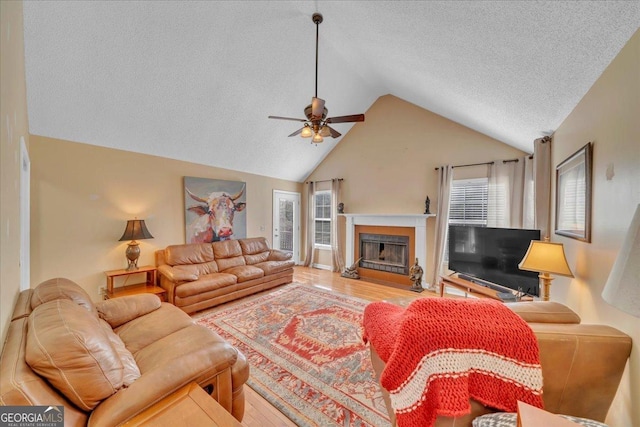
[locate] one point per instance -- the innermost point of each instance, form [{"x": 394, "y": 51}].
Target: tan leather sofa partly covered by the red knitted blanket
[{"x": 581, "y": 364}]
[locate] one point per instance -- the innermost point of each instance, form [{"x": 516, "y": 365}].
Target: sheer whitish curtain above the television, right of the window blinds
[{"x": 510, "y": 194}]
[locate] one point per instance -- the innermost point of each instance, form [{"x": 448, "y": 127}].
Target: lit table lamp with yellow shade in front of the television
[{"x": 546, "y": 258}]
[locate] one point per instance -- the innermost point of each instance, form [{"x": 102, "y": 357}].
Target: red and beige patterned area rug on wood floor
[{"x": 306, "y": 353}]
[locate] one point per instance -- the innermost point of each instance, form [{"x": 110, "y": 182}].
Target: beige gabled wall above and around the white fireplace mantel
[{"x": 388, "y": 162}]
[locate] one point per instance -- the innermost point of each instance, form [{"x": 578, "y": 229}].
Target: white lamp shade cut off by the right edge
[{"x": 622, "y": 289}]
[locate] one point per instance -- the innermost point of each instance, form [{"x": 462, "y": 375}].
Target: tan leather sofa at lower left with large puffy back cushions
[{"x": 107, "y": 362}]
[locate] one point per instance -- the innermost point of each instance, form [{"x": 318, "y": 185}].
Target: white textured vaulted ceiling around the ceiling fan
[{"x": 196, "y": 80}]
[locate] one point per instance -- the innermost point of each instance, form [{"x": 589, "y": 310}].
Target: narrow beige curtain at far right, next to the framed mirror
[{"x": 542, "y": 178}]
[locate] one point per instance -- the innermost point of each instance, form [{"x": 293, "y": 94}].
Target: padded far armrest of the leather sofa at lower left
[{"x": 118, "y": 311}]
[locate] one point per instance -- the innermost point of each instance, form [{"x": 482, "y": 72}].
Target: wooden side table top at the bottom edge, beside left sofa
[{"x": 187, "y": 407}]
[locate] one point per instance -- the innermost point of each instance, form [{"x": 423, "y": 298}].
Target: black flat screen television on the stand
[{"x": 492, "y": 255}]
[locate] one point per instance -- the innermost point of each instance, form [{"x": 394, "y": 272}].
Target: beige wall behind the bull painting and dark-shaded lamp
[{"x": 82, "y": 196}]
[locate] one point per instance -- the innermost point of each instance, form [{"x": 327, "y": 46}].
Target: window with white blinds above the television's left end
[{"x": 469, "y": 200}]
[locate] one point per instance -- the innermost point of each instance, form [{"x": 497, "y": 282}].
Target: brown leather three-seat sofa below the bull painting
[{"x": 197, "y": 276}]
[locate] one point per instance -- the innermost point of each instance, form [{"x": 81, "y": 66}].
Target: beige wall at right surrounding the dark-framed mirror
[{"x": 608, "y": 115}]
